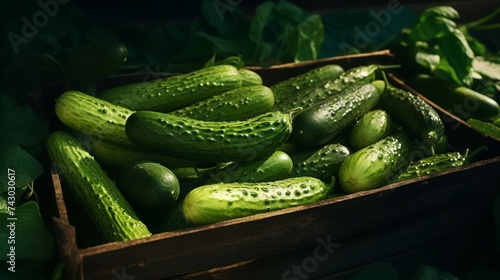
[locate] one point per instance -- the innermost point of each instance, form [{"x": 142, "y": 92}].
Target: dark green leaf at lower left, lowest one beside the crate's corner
[{"x": 32, "y": 240}]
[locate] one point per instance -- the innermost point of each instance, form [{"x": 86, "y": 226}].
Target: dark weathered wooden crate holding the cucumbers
[{"x": 270, "y": 235}]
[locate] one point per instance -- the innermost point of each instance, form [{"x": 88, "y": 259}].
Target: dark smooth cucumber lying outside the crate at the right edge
[{"x": 461, "y": 101}]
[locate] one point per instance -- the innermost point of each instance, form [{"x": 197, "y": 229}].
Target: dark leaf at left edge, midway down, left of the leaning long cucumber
[{"x": 25, "y": 167}]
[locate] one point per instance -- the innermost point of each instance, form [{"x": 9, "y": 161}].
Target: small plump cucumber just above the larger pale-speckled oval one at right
[{"x": 370, "y": 128}]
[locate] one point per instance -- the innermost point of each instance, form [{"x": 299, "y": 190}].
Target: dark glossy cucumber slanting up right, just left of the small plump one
[{"x": 321, "y": 122}]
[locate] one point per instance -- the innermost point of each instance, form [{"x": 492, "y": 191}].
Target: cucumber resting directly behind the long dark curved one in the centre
[{"x": 237, "y": 104}]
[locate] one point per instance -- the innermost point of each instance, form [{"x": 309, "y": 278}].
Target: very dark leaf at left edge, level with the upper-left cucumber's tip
[{"x": 19, "y": 124}]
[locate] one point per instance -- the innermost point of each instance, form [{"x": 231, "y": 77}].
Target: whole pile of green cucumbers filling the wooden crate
[{"x": 216, "y": 144}]
